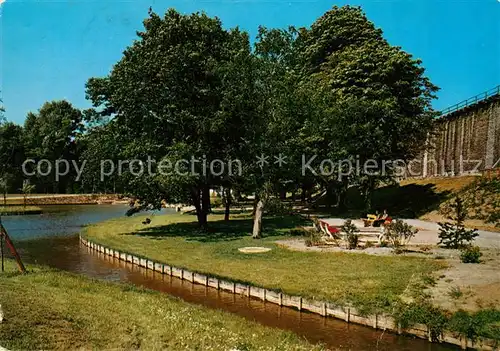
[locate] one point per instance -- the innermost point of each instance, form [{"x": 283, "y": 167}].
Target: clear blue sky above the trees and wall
[{"x": 50, "y": 48}]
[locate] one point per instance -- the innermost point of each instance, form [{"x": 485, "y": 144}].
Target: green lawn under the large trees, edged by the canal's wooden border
[{"x": 366, "y": 281}]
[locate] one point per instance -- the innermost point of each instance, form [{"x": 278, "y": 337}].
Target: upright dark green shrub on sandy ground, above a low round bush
[{"x": 454, "y": 235}]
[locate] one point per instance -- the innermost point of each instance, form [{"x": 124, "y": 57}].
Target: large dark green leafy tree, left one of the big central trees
[{"x": 183, "y": 89}]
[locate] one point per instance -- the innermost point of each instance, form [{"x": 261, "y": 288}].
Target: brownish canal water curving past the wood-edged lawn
[{"x": 51, "y": 239}]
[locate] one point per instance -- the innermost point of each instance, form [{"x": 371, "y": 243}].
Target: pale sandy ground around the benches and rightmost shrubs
[{"x": 460, "y": 285}]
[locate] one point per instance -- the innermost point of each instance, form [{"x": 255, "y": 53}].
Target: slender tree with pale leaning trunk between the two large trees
[{"x": 286, "y": 106}]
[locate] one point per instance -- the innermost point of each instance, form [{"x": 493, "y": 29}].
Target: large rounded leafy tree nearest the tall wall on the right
[{"x": 378, "y": 97}]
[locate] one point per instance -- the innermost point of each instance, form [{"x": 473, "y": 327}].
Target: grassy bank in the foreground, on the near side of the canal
[{"x": 48, "y": 309}]
